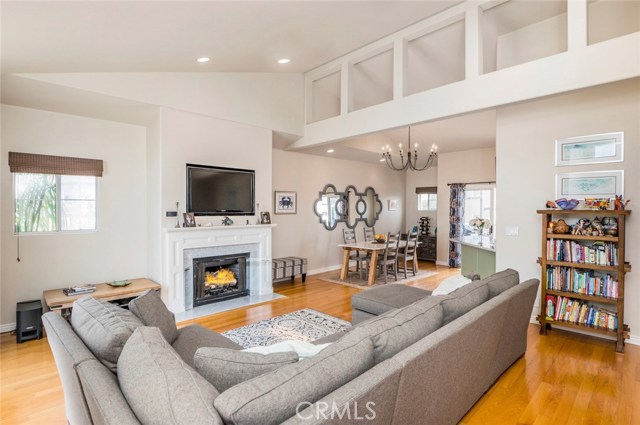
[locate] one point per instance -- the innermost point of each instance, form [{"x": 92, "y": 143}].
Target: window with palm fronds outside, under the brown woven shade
[{"x": 54, "y": 203}]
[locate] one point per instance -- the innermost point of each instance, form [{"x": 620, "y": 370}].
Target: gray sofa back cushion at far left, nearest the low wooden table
[{"x": 103, "y": 327}]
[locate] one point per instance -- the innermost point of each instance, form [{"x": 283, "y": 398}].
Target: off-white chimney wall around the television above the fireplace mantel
[{"x": 197, "y": 139}]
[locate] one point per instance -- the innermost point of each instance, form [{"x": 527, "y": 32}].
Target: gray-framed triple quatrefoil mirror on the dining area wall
[{"x": 349, "y": 207}]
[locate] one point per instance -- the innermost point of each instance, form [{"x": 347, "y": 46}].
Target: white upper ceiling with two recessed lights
[{"x": 161, "y": 36}]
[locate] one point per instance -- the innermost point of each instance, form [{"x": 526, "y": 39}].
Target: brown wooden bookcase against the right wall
[{"x": 617, "y": 271}]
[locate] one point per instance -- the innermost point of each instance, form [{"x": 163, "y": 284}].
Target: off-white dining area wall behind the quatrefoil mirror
[{"x": 302, "y": 234}]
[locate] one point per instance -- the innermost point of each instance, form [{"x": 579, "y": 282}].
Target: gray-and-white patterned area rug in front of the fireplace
[{"x": 301, "y": 325}]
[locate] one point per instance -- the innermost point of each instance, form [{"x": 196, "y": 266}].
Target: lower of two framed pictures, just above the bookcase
[{"x": 594, "y": 184}]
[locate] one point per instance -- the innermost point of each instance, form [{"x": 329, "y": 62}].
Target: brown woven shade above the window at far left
[{"x": 20, "y": 162}]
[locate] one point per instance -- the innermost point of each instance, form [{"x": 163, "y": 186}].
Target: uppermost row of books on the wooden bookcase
[{"x": 599, "y": 253}]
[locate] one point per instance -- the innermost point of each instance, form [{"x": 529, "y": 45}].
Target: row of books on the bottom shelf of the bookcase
[{"x": 581, "y": 313}]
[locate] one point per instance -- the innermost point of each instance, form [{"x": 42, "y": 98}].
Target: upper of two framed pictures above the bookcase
[{"x": 594, "y": 149}]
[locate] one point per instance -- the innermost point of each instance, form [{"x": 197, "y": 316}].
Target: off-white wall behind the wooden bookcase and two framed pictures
[{"x": 526, "y": 135}]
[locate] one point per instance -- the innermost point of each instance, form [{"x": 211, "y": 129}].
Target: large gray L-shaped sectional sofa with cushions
[{"x": 426, "y": 362}]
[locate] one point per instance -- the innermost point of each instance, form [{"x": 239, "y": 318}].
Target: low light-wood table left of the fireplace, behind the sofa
[{"x": 57, "y": 301}]
